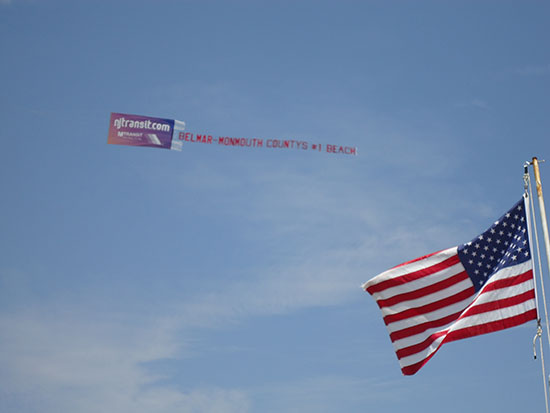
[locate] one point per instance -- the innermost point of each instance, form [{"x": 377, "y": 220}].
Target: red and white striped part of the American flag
[{"x": 431, "y": 301}]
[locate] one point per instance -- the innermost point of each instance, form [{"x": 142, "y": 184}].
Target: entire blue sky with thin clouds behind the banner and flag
[{"x": 226, "y": 279}]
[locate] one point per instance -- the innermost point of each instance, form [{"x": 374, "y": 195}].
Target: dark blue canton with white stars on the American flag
[{"x": 504, "y": 244}]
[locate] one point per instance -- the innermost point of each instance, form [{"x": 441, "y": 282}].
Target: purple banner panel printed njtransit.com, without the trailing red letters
[{"x": 136, "y": 130}]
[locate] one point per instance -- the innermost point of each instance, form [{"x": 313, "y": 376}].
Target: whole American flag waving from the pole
[{"x": 475, "y": 288}]
